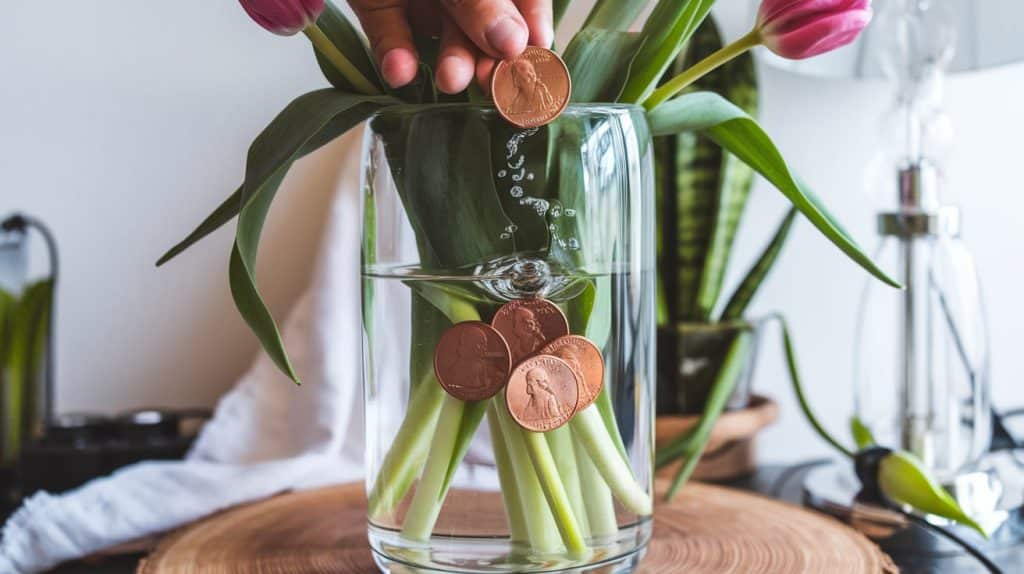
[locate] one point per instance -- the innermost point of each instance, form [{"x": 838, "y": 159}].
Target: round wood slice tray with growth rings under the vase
[{"x": 707, "y": 529}]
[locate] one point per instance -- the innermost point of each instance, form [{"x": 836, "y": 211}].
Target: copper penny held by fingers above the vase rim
[{"x": 533, "y": 89}]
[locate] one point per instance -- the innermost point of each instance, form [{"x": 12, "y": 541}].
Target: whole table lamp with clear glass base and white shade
[{"x": 921, "y": 366}]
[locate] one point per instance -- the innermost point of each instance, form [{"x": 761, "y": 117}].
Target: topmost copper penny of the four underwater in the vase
[{"x": 529, "y": 325}]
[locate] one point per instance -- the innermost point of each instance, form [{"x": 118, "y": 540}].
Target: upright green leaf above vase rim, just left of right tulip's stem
[{"x": 670, "y": 26}]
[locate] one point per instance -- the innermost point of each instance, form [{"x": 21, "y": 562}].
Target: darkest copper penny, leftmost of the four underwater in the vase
[{"x": 473, "y": 362}]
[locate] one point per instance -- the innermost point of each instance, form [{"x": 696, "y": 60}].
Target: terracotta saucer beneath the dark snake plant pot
[{"x": 731, "y": 453}]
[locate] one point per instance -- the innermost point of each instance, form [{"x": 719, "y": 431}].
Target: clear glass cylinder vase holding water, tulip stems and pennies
[{"x": 490, "y": 250}]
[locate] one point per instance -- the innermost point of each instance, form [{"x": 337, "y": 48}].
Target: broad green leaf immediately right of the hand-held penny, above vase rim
[{"x": 600, "y": 63}]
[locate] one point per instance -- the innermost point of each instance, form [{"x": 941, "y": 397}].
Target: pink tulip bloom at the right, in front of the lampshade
[{"x": 801, "y": 29}]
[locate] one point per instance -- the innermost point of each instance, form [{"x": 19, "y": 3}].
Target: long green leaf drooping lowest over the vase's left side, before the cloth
[{"x": 315, "y": 118}]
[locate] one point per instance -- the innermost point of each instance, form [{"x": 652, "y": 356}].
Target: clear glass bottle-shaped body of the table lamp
[{"x": 922, "y": 366}]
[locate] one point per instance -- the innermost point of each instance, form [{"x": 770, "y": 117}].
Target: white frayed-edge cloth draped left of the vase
[{"x": 268, "y": 435}]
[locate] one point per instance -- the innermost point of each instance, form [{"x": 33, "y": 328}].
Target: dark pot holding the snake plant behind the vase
[{"x": 690, "y": 360}]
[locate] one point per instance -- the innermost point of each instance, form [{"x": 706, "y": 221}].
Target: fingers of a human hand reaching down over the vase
[{"x": 474, "y": 35}]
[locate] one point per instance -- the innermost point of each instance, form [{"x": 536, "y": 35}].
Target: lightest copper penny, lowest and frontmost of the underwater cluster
[{"x": 542, "y": 394}]
